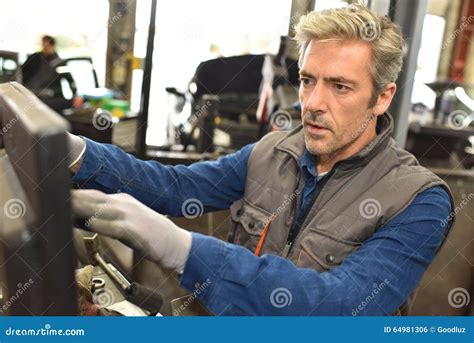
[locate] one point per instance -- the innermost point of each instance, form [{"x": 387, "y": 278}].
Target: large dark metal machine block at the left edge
[{"x": 35, "y": 186}]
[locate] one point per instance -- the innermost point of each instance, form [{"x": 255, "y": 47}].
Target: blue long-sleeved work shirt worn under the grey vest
[{"x": 231, "y": 280}]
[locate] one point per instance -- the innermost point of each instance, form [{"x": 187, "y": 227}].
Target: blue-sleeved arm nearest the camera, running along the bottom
[{"x": 375, "y": 280}]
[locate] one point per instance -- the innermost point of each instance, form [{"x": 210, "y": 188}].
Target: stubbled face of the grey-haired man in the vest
[{"x": 335, "y": 92}]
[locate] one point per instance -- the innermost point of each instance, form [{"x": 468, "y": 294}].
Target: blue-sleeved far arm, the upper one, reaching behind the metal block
[{"x": 214, "y": 185}]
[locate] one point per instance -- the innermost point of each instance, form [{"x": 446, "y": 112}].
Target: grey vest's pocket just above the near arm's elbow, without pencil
[{"x": 322, "y": 251}]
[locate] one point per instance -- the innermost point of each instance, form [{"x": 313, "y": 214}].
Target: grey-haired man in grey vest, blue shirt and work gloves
[{"x": 330, "y": 219}]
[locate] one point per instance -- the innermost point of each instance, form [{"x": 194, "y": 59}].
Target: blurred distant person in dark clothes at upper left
[{"x": 39, "y": 74}]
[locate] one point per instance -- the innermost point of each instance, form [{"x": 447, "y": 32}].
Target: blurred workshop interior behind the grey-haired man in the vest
[{"x": 185, "y": 81}]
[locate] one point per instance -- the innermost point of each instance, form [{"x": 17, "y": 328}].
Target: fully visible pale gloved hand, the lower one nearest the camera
[{"x": 123, "y": 217}]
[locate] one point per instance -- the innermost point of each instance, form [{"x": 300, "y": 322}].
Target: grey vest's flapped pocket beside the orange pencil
[{"x": 247, "y": 223}]
